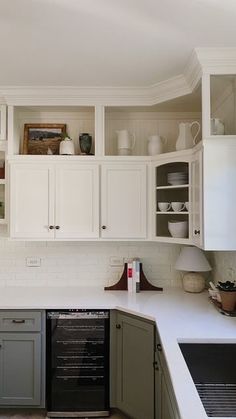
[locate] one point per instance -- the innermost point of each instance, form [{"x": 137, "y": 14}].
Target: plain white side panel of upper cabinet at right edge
[{"x": 219, "y": 194}]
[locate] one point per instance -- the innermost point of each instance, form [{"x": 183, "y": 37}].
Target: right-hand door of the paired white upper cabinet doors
[{"x": 77, "y": 201}]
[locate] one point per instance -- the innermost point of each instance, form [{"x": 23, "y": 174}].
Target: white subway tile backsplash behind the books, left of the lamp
[{"x": 79, "y": 264}]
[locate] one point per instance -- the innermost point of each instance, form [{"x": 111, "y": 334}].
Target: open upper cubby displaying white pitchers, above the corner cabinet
[{"x": 129, "y": 130}]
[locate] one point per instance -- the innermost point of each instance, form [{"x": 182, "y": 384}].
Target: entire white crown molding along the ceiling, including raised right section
[{"x": 202, "y": 60}]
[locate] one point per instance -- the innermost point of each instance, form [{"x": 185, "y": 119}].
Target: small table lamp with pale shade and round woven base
[{"x": 192, "y": 260}]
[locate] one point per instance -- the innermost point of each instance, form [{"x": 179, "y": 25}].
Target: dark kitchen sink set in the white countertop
[{"x": 213, "y": 370}]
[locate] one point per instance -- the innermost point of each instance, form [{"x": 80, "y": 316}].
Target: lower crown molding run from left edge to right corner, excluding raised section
[{"x": 89, "y": 96}]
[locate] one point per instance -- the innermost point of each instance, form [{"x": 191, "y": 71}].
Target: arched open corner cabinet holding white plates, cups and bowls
[{"x": 172, "y": 180}]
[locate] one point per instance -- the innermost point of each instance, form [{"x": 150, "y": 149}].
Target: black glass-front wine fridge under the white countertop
[{"x": 77, "y": 363}]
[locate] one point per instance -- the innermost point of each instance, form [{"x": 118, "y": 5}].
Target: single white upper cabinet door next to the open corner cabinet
[{"x": 124, "y": 201}]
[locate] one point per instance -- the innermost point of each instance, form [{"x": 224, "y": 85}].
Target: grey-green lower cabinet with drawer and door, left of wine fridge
[{"x": 22, "y": 371}]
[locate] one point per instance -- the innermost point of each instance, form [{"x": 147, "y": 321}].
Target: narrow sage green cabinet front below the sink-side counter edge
[{"x": 165, "y": 402}]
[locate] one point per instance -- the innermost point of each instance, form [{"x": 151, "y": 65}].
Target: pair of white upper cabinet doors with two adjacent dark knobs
[{"x": 54, "y": 201}]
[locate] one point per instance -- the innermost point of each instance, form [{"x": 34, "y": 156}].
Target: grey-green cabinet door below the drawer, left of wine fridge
[{"x": 20, "y": 369}]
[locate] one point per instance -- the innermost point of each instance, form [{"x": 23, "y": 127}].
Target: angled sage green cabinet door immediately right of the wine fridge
[{"x": 135, "y": 372}]
